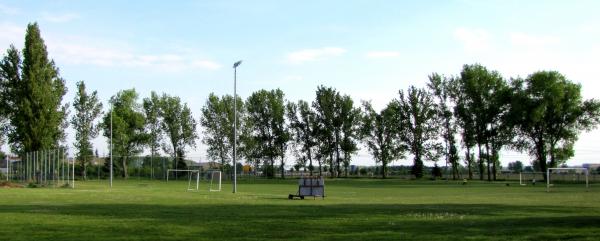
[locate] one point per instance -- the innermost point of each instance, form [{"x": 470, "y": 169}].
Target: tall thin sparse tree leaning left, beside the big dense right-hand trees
[{"x": 440, "y": 86}]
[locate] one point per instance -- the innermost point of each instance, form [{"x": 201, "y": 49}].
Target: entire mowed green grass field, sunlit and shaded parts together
[{"x": 354, "y": 209}]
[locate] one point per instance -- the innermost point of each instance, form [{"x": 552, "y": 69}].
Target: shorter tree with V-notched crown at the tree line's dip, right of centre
[{"x": 380, "y": 133}]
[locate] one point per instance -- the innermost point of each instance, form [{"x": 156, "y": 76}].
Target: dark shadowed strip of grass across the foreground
[{"x": 300, "y": 222}]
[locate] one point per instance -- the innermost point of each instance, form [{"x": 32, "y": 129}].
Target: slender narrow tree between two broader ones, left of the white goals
[{"x": 151, "y": 107}]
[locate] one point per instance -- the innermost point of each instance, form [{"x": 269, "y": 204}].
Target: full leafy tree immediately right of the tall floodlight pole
[{"x": 266, "y": 111}]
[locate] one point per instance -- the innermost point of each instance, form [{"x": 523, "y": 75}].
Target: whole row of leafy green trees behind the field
[{"x": 464, "y": 120}]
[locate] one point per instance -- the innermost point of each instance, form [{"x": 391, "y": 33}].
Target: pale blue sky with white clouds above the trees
[{"x": 367, "y": 49}]
